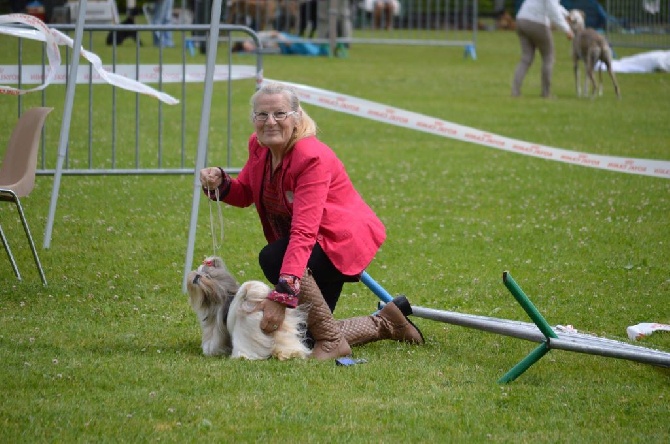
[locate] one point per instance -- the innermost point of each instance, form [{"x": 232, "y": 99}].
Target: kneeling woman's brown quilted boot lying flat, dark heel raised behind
[{"x": 389, "y": 323}]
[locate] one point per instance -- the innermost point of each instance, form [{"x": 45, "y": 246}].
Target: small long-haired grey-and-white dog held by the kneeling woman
[{"x": 230, "y": 319}]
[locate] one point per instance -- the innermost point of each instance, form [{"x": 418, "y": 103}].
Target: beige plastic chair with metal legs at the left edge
[{"x": 17, "y": 173}]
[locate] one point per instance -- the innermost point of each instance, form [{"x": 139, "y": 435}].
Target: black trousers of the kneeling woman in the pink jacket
[{"x": 328, "y": 278}]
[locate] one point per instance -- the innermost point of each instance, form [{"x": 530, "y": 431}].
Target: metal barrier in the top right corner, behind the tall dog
[{"x": 638, "y": 23}]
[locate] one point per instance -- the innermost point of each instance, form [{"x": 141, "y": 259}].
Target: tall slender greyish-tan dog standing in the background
[{"x": 590, "y": 47}]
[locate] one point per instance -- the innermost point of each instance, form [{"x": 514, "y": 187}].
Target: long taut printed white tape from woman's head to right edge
[{"x": 408, "y": 119}]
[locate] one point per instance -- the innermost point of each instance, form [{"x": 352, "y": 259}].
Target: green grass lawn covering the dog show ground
[{"x": 109, "y": 351}]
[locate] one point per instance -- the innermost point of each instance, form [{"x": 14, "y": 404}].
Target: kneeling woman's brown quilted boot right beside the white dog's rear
[{"x": 329, "y": 343}]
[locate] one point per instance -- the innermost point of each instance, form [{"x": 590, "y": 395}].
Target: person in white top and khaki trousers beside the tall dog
[{"x": 533, "y": 26}]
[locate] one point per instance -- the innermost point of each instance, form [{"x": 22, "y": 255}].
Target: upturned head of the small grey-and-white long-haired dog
[{"x": 210, "y": 286}]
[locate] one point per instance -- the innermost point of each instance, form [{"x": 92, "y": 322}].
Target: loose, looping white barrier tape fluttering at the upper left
[{"x": 53, "y": 39}]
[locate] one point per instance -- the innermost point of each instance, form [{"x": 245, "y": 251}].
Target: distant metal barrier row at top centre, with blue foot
[{"x": 403, "y": 22}]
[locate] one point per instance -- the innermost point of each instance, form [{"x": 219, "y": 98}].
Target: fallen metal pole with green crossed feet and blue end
[{"x": 539, "y": 331}]
